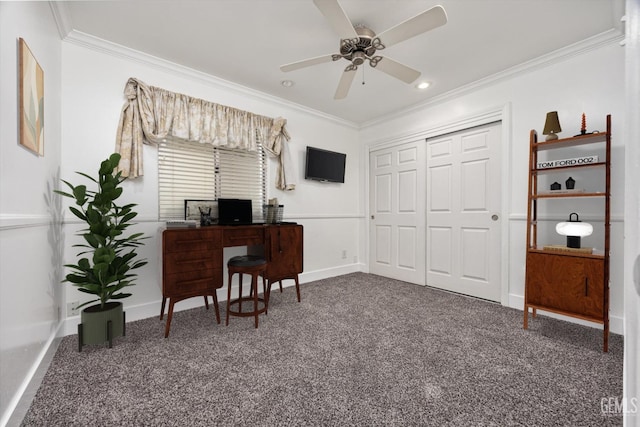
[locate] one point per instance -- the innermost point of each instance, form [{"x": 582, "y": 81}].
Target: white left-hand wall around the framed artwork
[{"x": 30, "y": 232}]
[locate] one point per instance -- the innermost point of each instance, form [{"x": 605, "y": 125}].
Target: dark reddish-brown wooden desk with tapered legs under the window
[{"x": 193, "y": 263}]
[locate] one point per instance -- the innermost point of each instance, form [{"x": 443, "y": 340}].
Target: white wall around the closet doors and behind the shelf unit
[{"x": 592, "y": 83}]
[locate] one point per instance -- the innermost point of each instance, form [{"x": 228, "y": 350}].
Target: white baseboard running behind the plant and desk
[{"x": 152, "y": 309}]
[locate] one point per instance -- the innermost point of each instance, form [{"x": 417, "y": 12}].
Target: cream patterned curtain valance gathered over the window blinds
[{"x": 151, "y": 115}]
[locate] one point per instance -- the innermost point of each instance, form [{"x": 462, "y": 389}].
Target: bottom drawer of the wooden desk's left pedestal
[{"x": 193, "y": 283}]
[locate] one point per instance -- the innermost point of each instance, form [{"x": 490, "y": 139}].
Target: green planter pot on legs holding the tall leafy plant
[{"x": 100, "y": 326}]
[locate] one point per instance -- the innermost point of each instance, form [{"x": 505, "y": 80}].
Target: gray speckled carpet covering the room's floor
[{"x": 359, "y": 350}]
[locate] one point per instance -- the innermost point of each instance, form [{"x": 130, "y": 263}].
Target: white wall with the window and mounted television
[{"x": 93, "y": 83}]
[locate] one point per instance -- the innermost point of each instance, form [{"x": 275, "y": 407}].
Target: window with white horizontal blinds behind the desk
[{"x": 191, "y": 170}]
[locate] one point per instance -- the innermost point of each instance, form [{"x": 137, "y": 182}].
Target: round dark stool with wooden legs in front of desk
[{"x": 255, "y": 266}]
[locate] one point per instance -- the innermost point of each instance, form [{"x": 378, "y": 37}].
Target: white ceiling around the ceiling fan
[{"x": 245, "y": 42}]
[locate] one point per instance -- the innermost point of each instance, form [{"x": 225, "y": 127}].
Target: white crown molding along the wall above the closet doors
[{"x": 612, "y": 36}]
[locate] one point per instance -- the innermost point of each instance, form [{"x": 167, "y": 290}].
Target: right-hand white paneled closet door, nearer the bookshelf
[{"x": 463, "y": 207}]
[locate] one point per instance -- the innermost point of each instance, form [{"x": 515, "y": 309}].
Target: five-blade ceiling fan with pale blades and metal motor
[{"x": 359, "y": 44}]
